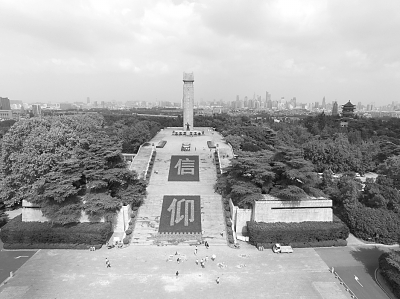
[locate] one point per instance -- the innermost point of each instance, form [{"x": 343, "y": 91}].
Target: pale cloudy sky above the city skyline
[{"x": 124, "y": 50}]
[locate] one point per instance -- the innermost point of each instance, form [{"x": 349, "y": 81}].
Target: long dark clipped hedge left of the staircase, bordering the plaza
[{"x": 31, "y": 233}]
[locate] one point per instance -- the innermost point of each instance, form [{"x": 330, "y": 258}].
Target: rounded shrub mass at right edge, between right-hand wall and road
[{"x": 367, "y": 223}]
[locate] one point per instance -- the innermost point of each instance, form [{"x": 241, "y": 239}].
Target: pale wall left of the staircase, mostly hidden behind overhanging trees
[{"x": 31, "y": 212}]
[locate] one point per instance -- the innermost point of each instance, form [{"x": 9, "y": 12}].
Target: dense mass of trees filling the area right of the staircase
[{"x": 287, "y": 167}]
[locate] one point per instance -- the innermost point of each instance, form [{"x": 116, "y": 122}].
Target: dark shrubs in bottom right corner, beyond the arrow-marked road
[{"x": 389, "y": 264}]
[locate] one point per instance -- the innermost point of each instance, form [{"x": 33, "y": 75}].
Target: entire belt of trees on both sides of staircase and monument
[{"x": 71, "y": 164}]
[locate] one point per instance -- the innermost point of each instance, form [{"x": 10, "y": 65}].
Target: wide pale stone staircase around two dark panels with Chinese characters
[{"x": 148, "y": 218}]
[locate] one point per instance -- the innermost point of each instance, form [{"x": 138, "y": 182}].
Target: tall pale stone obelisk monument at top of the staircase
[{"x": 188, "y": 101}]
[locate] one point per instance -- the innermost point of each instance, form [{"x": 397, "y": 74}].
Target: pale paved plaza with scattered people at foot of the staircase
[{"x": 150, "y": 272}]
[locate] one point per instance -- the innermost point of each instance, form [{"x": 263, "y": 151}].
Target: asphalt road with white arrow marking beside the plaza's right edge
[{"x": 356, "y": 261}]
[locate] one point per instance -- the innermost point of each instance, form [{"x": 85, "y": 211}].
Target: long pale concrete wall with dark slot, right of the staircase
[{"x": 292, "y": 211}]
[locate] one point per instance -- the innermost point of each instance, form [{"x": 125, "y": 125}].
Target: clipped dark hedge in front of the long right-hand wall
[{"x": 301, "y": 232}]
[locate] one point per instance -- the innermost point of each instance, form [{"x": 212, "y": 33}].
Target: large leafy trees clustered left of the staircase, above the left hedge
[{"x": 66, "y": 165}]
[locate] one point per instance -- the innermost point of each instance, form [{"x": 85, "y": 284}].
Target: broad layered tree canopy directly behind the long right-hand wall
[{"x": 281, "y": 172}]
